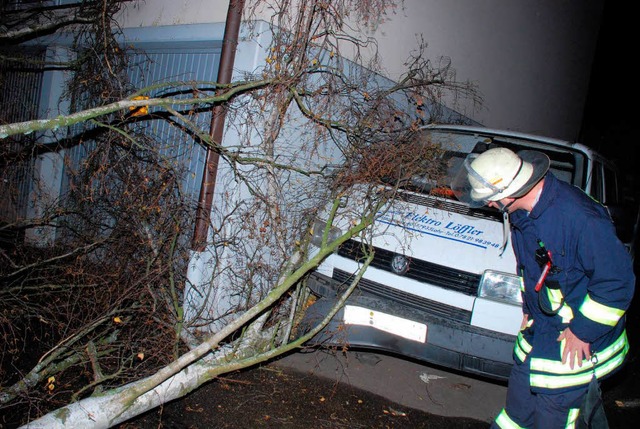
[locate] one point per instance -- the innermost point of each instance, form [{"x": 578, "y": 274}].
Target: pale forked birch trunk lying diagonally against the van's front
[{"x": 198, "y": 366}]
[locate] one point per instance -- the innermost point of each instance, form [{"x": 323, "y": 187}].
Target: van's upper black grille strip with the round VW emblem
[{"x": 422, "y": 271}]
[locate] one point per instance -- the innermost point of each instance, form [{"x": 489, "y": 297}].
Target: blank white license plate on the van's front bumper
[{"x": 385, "y": 322}]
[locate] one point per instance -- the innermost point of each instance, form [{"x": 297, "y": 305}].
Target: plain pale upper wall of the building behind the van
[{"x": 531, "y": 61}]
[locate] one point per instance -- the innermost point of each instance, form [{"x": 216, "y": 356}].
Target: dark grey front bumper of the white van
[{"x": 449, "y": 343}]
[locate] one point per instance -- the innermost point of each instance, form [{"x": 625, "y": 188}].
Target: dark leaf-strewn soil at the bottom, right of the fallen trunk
[{"x": 264, "y": 398}]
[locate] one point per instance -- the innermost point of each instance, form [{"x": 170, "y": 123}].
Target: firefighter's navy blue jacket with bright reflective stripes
[{"x": 589, "y": 288}]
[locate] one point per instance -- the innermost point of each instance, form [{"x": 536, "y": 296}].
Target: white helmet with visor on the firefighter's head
[{"x": 499, "y": 173}]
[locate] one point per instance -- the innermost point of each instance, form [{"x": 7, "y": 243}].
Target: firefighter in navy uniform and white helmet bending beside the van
[{"x": 578, "y": 283}]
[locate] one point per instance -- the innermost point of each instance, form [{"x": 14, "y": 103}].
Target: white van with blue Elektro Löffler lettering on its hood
[{"x": 442, "y": 287}]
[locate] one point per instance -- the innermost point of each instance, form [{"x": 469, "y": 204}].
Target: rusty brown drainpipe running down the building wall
[{"x": 225, "y": 70}]
